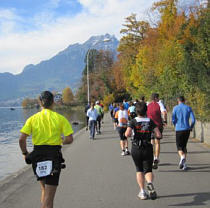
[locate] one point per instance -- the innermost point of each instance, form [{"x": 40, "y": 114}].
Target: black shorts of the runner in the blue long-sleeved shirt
[{"x": 182, "y": 139}]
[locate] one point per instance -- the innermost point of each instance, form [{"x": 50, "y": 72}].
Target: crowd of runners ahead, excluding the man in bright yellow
[{"x": 144, "y": 123}]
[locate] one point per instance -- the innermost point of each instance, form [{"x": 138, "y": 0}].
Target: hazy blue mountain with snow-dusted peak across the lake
[{"x": 62, "y": 70}]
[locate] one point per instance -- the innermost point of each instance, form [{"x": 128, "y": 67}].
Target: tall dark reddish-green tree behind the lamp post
[{"x": 100, "y": 81}]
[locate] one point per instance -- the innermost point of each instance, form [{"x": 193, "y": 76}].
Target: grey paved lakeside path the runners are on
[{"x": 97, "y": 176}]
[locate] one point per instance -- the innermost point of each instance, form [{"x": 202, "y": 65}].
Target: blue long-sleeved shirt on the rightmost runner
[{"x": 181, "y": 116}]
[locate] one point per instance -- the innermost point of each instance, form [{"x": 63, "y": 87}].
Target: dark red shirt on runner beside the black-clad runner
[{"x": 154, "y": 113}]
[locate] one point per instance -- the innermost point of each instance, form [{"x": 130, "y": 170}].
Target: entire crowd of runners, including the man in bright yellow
[{"x": 142, "y": 121}]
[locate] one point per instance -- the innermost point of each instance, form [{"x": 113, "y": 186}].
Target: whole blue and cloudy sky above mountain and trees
[{"x": 36, "y": 30}]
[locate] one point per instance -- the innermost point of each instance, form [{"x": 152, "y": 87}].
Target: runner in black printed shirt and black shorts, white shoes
[{"x": 142, "y": 150}]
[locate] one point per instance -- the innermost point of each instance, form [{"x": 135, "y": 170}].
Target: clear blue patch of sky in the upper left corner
[{"x": 32, "y": 14}]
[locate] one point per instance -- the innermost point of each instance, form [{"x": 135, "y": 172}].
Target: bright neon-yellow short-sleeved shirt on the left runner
[{"x": 47, "y": 127}]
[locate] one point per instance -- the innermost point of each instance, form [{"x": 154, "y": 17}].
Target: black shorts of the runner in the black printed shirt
[{"x": 142, "y": 157}]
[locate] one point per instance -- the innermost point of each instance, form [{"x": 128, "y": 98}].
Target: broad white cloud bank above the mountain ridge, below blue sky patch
[{"x": 97, "y": 17}]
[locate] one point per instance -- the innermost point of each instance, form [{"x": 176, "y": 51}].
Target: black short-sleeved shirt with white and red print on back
[{"x": 142, "y": 127}]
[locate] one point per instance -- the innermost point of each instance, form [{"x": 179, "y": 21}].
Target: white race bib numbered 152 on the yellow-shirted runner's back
[{"x": 44, "y": 168}]
